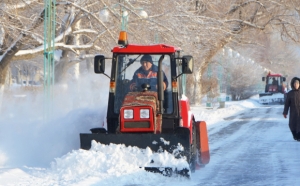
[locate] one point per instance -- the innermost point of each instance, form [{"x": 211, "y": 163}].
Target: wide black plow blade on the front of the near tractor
[{"x": 156, "y": 142}]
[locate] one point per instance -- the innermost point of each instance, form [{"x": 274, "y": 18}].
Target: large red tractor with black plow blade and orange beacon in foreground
[{"x": 146, "y": 118}]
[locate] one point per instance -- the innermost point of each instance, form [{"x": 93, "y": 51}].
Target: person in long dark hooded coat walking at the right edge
[{"x": 292, "y": 104}]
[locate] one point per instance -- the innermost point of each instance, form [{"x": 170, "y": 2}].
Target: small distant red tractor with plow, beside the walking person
[{"x": 274, "y": 89}]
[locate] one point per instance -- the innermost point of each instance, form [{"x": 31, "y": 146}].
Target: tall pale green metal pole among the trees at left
[{"x": 49, "y": 46}]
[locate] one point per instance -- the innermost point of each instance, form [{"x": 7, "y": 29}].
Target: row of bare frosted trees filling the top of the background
[{"x": 262, "y": 30}]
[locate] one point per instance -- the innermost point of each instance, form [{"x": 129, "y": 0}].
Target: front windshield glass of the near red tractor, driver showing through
[{"x": 129, "y": 65}]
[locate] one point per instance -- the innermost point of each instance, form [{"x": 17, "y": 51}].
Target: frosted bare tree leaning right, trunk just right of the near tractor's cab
[{"x": 214, "y": 24}]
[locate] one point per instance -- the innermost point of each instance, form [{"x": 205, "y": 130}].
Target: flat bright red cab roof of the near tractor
[{"x": 146, "y": 49}]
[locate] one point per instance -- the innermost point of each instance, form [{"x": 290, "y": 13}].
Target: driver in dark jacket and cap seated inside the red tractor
[{"x": 147, "y": 73}]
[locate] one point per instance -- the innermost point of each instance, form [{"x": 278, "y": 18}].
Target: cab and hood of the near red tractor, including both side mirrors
[{"x": 164, "y": 85}]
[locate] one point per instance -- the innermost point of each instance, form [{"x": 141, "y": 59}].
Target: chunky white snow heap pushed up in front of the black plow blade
[{"x": 112, "y": 159}]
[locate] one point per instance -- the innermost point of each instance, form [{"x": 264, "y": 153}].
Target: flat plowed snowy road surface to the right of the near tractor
[{"x": 255, "y": 148}]
